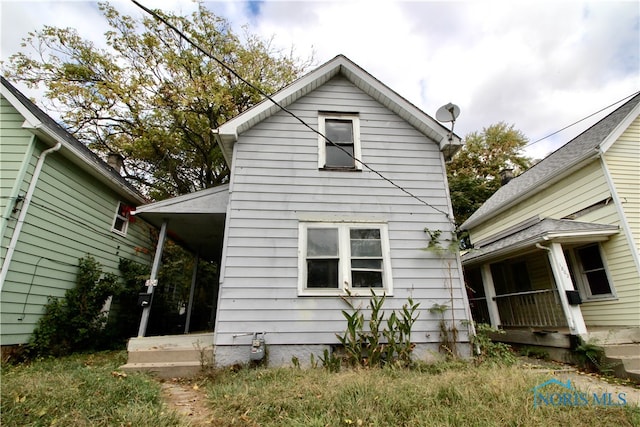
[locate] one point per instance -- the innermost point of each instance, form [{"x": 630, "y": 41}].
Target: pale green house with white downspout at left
[{"x": 59, "y": 202}]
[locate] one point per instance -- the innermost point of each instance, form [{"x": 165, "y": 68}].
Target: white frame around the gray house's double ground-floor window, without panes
[{"x": 344, "y": 263}]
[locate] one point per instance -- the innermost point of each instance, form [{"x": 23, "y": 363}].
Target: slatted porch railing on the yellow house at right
[{"x": 533, "y": 308}]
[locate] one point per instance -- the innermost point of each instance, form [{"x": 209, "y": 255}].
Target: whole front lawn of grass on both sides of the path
[{"x": 89, "y": 390}]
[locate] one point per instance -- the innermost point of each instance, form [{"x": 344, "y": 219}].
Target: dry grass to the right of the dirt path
[{"x": 463, "y": 395}]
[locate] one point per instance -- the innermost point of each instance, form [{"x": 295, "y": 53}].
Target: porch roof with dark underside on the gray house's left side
[{"x": 195, "y": 221}]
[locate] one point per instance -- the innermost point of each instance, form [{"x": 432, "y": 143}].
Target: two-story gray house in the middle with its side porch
[{"x": 303, "y": 223}]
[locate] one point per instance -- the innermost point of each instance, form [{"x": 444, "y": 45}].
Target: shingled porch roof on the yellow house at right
[{"x": 541, "y": 231}]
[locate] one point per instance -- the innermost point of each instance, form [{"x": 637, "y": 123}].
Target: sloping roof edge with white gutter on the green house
[{"x": 49, "y": 131}]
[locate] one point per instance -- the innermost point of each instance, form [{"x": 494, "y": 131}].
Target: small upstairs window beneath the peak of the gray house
[{"x": 340, "y": 150}]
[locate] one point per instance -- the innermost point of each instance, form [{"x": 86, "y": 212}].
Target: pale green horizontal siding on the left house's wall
[{"x": 70, "y": 216}]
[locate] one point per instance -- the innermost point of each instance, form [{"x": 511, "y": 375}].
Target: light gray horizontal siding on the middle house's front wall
[{"x": 276, "y": 183}]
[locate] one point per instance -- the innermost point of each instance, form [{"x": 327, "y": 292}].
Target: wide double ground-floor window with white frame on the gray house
[{"x": 336, "y": 257}]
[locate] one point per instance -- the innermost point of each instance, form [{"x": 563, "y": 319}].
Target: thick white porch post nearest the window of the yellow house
[{"x": 564, "y": 283}]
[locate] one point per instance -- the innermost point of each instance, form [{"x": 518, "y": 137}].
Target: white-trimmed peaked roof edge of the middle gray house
[{"x": 227, "y": 134}]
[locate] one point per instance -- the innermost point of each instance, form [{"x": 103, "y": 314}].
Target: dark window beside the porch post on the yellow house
[{"x": 592, "y": 278}]
